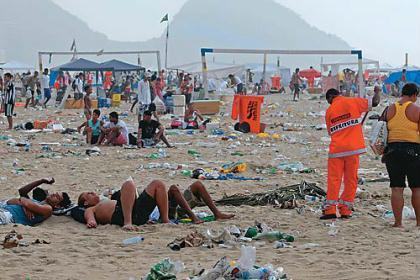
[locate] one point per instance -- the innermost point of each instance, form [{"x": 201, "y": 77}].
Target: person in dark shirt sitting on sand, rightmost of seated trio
[{"x": 150, "y": 132}]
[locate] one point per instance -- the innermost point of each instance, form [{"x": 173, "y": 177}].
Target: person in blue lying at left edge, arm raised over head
[{"x": 28, "y": 211}]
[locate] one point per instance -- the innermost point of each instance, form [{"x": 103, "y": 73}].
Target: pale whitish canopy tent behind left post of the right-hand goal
[{"x": 216, "y": 70}]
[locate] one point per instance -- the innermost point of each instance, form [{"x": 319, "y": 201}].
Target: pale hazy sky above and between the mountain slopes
[{"x": 384, "y": 29}]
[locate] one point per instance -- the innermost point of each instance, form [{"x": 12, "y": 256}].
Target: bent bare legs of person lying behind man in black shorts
[{"x": 181, "y": 205}]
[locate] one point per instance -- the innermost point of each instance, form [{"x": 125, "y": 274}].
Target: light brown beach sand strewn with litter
[{"x": 365, "y": 247}]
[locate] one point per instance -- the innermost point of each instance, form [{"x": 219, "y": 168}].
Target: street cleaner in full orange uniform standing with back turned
[{"x": 344, "y": 123}]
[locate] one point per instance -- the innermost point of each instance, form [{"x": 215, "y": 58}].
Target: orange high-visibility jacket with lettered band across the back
[{"x": 344, "y": 124}]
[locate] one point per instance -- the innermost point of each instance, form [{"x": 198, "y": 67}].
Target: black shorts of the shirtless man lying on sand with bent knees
[{"x": 142, "y": 208}]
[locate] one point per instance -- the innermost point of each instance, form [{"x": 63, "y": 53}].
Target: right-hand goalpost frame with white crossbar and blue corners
[{"x": 204, "y": 51}]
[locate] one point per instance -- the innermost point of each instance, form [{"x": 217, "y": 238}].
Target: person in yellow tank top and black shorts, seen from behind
[{"x": 402, "y": 154}]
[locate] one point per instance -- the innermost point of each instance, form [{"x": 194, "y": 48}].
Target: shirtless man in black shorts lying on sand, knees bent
[{"x": 127, "y": 209}]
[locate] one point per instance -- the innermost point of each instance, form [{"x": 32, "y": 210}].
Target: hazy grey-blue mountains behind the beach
[{"x": 261, "y": 24}]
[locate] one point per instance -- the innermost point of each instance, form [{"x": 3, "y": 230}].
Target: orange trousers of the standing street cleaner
[{"x": 339, "y": 169}]
